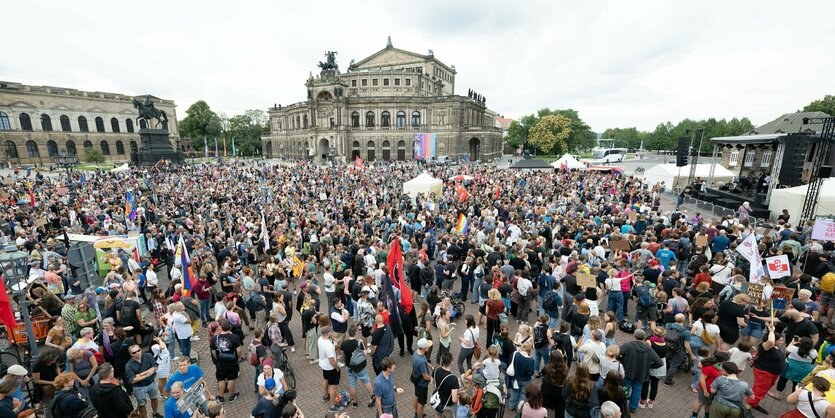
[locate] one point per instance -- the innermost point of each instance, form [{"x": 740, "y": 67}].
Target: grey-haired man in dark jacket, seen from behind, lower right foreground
[{"x": 637, "y": 359}]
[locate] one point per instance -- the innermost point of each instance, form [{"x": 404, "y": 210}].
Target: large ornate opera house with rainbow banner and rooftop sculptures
[{"x": 376, "y": 109}]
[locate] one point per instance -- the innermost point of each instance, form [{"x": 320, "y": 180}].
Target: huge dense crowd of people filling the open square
[{"x": 515, "y": 288}]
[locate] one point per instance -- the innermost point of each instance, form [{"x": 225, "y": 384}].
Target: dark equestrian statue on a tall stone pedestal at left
[{"x": 155, "y": 145}]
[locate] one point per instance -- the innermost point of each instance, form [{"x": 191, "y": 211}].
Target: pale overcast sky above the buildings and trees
[{"x": 619, "y": 63}]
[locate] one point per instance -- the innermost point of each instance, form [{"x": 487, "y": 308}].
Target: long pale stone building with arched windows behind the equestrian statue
[{"x": 37, "y": 123}]
